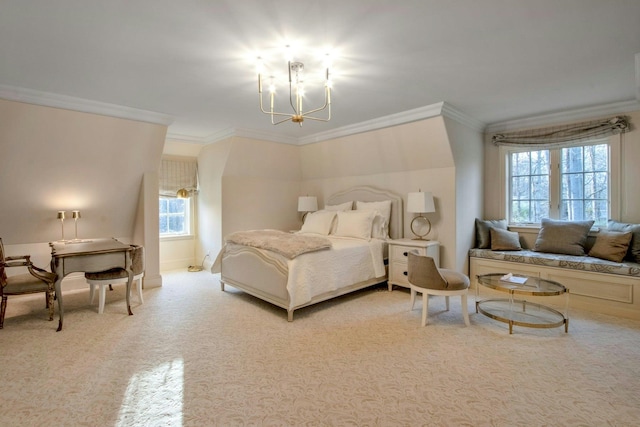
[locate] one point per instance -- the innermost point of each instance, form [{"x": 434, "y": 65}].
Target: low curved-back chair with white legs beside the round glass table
[{"x": 426, "y": 278}]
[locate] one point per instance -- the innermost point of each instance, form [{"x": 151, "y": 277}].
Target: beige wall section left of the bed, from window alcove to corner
[{"x": 246, "y": 184}]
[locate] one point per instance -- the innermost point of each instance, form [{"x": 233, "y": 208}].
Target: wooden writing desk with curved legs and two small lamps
[{"x": 88, "y": 256}]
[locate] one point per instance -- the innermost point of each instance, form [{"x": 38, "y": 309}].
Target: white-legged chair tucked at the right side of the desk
[{"x": 115, "y": 276}]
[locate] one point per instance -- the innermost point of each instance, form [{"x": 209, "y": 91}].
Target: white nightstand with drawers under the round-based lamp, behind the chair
[{"x": 398, "y": 253}]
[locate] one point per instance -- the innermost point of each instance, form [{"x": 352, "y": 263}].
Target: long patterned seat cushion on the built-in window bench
[{"x": 574, "y": 262}]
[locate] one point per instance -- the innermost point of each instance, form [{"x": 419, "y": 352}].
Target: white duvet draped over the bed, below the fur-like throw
[{"x": 349, "y": 261}]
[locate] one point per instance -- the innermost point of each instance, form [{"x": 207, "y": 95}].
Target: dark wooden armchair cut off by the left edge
[{"x": 36, "y": 280}]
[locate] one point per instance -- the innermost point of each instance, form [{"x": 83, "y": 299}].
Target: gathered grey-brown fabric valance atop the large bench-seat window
[{"x": 564, "y": 135}]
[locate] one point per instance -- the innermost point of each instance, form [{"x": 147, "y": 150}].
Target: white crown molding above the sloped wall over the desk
[{"x": 46, "y": 99}]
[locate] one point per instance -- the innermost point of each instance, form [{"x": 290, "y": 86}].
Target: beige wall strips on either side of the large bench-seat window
[{"x": 629, "y": 174}]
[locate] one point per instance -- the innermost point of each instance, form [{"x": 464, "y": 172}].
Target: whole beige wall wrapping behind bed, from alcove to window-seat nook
[{"x": 250, "y": 184}]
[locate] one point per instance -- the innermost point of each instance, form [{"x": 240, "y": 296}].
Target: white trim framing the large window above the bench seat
[{"x": 615, "y": 173}]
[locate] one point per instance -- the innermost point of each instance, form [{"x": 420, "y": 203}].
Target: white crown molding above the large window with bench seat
[{"x": 565, "y": 116}]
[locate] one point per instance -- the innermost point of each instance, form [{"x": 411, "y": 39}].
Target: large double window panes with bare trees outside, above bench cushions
[{"x": 571, "y": 183}]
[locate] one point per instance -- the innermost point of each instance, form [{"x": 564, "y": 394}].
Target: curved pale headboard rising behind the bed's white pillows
[{"x": 372, "y": 194}]
